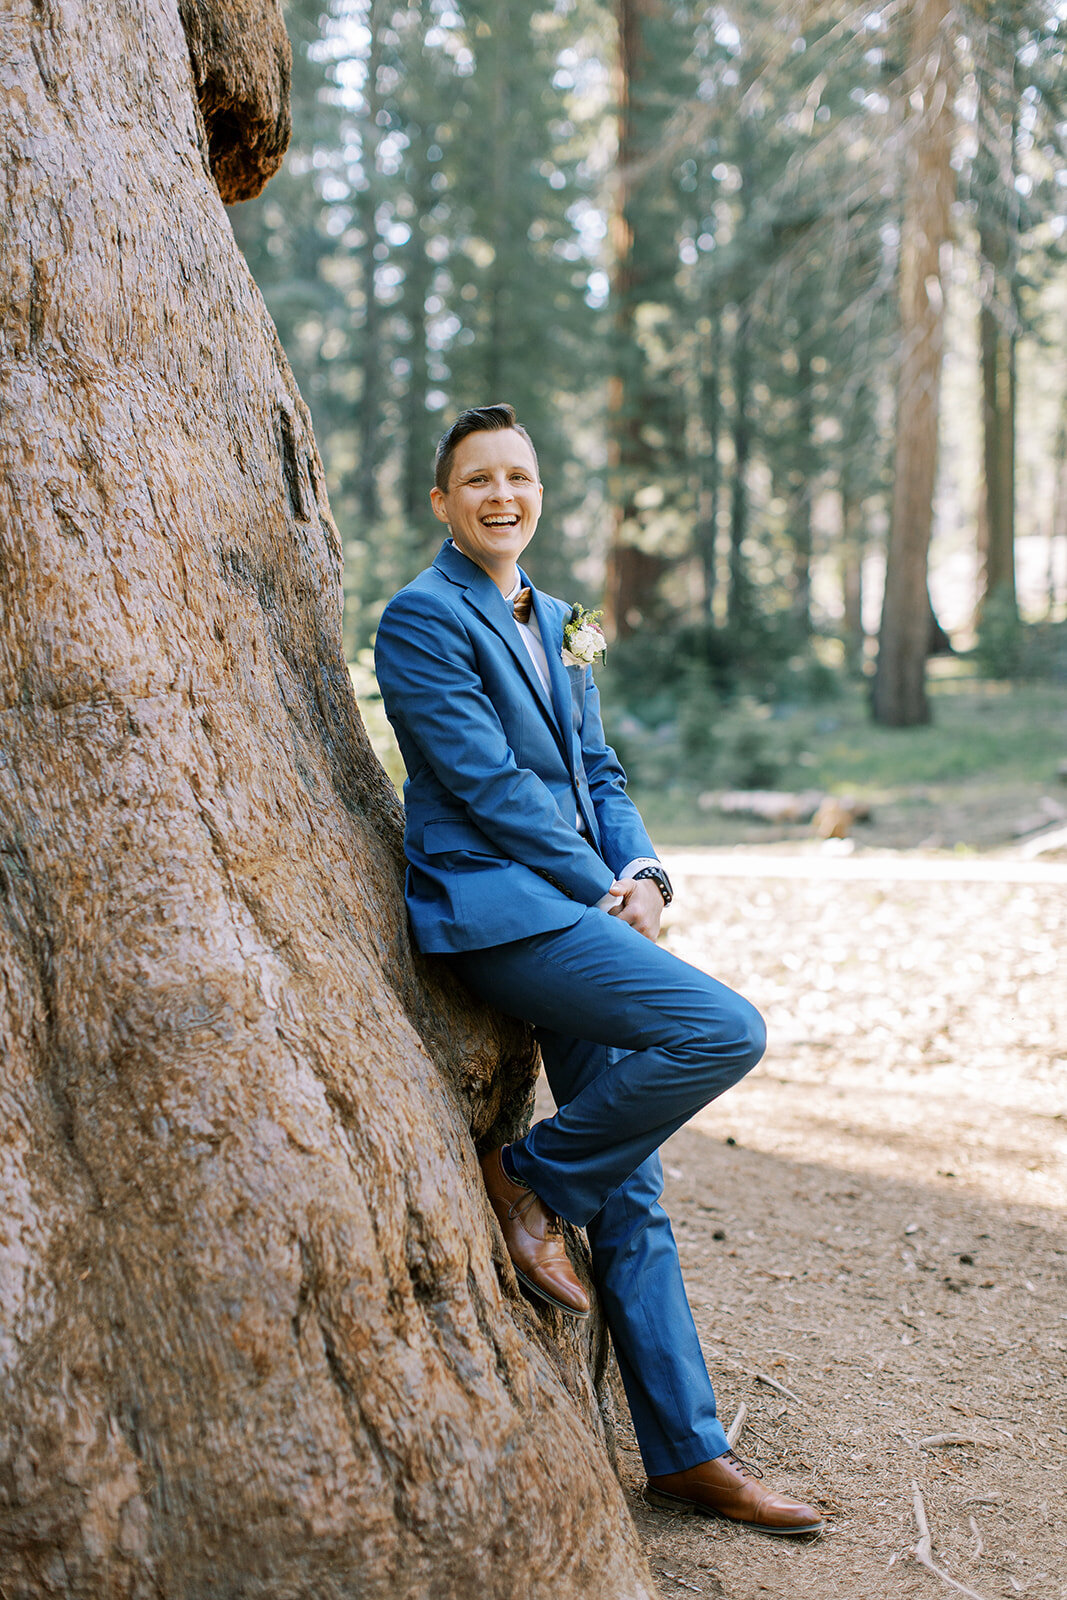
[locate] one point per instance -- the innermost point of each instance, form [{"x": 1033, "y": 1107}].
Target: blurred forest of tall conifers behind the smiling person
[{"x": 778, "y": 292}]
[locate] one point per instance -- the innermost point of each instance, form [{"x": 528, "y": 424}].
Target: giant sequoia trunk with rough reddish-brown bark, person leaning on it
[{"x": 257, "y": 1337}]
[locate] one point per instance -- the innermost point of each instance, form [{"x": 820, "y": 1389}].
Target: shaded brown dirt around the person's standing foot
[{"x": 897, "y": 1313}]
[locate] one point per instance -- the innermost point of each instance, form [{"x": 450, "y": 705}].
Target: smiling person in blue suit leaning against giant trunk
[{"x": 532, "y": 873}]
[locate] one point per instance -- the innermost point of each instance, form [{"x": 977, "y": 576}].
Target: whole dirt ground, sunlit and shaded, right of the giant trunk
[{"x": 873, "y": 1225}]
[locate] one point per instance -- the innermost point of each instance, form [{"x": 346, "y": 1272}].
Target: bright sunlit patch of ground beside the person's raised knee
[{"x": 916, "y": 1023}]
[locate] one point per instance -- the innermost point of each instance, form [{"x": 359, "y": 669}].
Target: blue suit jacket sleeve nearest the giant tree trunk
[{"x": 431, "y": 686}]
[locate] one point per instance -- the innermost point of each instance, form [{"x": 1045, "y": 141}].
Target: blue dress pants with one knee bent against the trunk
[{"x": 634, "y": 1044}]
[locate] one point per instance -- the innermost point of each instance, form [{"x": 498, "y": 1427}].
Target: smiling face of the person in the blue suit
[{"x": 494, "y": 502}]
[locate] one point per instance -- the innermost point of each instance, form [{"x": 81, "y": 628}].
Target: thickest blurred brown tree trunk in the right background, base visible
[{"x": 900, "y": 689}]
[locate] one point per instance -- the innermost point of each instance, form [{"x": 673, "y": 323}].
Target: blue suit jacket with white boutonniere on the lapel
[{"x": 497, "y": 769}]
